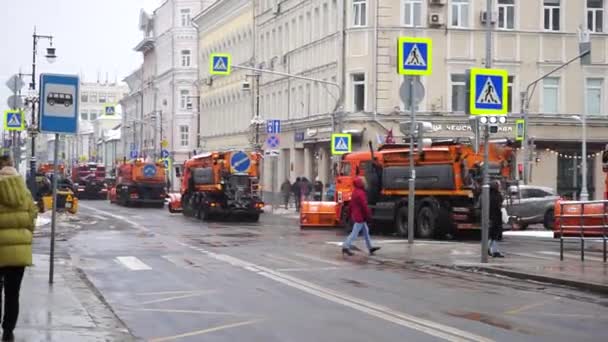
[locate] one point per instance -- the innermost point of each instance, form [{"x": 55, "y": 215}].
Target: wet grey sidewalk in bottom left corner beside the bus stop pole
[{"x": 66, "y": 311}]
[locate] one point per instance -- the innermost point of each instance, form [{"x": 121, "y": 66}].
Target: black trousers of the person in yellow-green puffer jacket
[{"x": 11, "y": 282}]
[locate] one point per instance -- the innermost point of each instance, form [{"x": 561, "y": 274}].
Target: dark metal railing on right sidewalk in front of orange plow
[{"x": 584, "y": 220}]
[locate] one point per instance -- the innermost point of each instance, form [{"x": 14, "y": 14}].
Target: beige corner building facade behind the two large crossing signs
[{"x": 353, "y": 43}]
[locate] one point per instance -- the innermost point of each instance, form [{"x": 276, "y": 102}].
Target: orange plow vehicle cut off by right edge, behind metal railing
[{"x": 583, "y": 218}]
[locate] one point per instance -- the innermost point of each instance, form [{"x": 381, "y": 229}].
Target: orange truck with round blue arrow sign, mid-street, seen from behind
[{"x": 220, "y": 184}]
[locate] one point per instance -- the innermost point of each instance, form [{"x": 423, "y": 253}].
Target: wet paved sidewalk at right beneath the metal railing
[{"x": 523, "y": 262}]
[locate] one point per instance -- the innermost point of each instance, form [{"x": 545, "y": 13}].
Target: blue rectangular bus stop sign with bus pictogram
[{"x": 59, "y": 104}]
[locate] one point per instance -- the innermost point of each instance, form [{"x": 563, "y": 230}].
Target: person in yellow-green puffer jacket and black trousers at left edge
[{"x": 17, "y": 222}]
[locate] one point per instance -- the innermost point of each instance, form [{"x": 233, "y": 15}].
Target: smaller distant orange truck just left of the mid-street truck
[{"x": 139, "y": 183}]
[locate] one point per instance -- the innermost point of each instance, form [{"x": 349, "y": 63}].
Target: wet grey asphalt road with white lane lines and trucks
[{"x": 172, "y": 278}]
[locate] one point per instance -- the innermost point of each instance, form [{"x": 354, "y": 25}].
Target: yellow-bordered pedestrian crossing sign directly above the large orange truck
[{"x": 415, "y": 56}]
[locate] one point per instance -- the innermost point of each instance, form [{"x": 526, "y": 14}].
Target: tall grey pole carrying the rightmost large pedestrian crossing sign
[{"x": 485, "y": 188}]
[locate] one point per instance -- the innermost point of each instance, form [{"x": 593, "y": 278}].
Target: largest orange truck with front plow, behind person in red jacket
[{"x": 448, "y": 174}]
